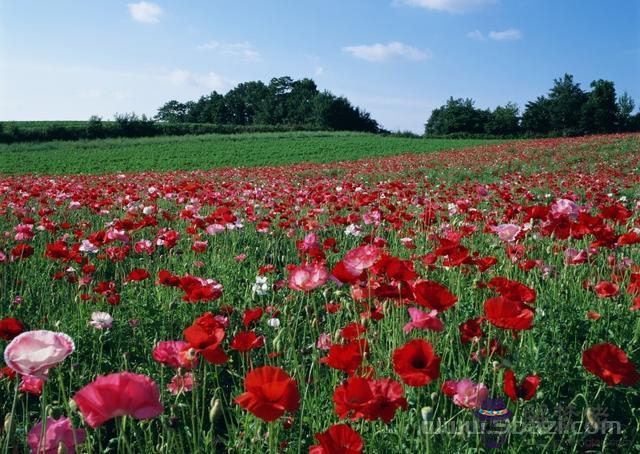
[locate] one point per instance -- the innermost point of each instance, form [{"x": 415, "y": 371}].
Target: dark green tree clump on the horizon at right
[{"x": 566, "y": 110}]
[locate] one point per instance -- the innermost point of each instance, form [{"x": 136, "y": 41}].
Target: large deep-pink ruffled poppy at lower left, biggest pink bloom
[{"x": 118, "y": 394}]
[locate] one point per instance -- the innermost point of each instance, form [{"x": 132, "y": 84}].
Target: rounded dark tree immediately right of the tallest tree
[{"x": 600, "y": 112}]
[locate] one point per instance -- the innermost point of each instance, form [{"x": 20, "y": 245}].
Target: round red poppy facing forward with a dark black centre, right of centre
[{"x": 416, "y": 363}]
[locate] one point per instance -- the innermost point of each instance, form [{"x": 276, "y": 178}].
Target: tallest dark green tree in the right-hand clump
[{"x": 566, "y": 99}]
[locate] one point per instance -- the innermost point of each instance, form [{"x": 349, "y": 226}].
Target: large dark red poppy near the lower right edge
[{"x": 611, "y": 364}]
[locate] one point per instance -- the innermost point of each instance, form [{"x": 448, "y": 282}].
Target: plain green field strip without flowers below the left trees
[{"x": 208, "y": 151}]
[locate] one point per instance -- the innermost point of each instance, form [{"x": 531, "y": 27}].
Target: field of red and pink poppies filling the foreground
[{"x": 450, "y": 301}]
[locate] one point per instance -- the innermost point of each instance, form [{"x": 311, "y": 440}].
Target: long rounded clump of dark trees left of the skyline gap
[{"x": 283, "y": 102}]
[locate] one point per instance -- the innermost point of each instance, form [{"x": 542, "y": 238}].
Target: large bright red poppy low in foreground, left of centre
[{"x": 269, "y": 392}]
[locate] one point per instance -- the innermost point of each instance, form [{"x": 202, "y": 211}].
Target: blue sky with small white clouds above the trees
[{"x": 397, "y": 59}]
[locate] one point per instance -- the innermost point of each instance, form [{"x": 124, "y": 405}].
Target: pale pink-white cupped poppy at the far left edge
[{"x": 35, "y": 352}]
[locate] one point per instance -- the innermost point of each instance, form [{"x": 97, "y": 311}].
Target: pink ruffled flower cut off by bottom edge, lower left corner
[{"x": 58, "y": 432}]
